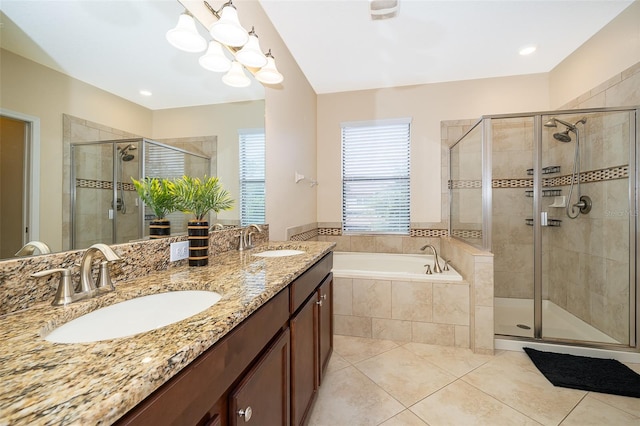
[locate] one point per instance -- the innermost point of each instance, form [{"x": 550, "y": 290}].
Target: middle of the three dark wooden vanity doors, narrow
[{"x": 304, "y": 359}]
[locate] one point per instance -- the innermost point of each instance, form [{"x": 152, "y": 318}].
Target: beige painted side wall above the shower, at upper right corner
[{"x": 613, "y": 49}]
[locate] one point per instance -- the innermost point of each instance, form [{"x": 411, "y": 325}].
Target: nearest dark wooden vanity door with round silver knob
[{"x": 262, "y": 397}]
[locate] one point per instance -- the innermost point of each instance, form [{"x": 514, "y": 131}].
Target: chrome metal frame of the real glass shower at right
[{"x": 634, "y": 220}]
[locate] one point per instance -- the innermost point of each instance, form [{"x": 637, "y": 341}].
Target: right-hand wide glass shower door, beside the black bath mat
[{"x": 586, "y": 249}]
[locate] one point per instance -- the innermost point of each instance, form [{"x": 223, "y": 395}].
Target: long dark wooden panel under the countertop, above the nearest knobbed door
[{"x": 198, "y": 395}]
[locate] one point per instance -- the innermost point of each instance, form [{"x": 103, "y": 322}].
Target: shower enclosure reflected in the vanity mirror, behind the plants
[{"x": 105, "y": 207}]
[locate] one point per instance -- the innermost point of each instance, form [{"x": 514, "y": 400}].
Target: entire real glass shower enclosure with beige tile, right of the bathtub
[{"x": 553, "y": 196}]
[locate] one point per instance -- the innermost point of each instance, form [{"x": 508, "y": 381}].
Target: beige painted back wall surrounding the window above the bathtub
[{"x": 427, "y": 105}]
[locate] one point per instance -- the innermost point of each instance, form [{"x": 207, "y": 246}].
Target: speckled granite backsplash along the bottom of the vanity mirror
[{"x": 18, "y": 290}]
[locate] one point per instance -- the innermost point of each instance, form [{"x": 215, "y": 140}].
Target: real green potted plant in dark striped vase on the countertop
[{"x": 198, "y": 197}]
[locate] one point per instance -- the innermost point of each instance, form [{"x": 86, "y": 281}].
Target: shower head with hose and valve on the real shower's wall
[{"x": 584, "y": 201}]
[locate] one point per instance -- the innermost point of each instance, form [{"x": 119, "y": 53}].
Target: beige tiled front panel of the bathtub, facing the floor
[{"x": 407, "y": 311}]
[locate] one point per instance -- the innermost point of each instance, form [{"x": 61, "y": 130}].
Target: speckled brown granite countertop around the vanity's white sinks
[{"x": 97, "y": 383}]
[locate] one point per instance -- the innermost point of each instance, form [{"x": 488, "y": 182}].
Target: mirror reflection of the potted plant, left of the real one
[{"x": 156, "y": 194}]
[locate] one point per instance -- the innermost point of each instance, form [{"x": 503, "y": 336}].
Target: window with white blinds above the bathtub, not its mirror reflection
[{"x": 375, "y": 177}]
